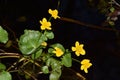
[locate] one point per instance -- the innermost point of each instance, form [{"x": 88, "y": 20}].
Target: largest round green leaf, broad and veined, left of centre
[{"x": 30, "y": 41}]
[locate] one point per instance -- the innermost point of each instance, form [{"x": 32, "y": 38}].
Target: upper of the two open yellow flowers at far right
[{"x": 78, "y": 49}]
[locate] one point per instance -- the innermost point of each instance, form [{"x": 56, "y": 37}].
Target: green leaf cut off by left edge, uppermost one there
[{"x": 3, "y": 35}]
